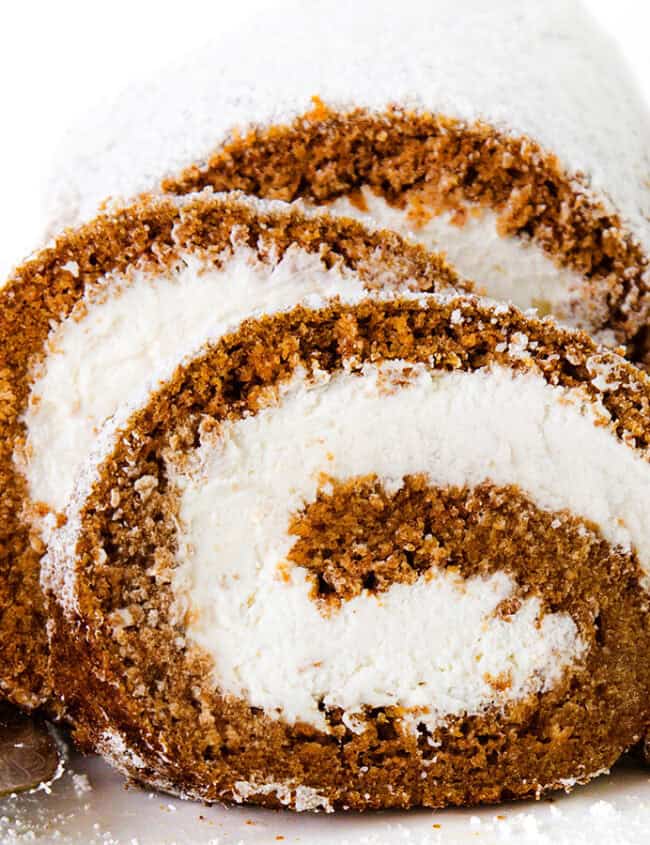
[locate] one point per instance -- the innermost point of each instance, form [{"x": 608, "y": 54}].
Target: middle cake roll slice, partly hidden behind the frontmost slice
[{"x": 115, "y": 306}]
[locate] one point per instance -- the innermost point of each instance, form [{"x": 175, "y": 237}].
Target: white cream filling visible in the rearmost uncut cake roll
[{"x": 508, "y": 268}]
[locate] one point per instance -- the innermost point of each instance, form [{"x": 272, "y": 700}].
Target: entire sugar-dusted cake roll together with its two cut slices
[{"x": 316, "y": 527}]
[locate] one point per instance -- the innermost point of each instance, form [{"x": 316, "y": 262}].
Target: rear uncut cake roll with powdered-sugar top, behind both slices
[{"x": 508, "y": 135}]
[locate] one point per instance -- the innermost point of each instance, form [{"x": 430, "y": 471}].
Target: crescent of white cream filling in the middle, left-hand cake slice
[{"x": 135, "y": 334}]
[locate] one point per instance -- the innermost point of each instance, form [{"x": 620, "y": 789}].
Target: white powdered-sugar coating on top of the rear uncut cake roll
[{"x": 544, "y": 70}]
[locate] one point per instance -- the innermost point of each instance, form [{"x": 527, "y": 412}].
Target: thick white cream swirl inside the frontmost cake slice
[{"x": 431, "y": 646}]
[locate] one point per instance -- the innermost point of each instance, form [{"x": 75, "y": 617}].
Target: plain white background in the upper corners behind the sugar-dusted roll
[{"x": 59, "y": 58}]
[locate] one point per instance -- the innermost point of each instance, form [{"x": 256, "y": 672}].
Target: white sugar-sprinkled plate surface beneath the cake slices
[{"x": 90, "y": 805}]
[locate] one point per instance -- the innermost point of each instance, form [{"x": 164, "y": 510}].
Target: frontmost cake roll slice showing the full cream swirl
[{"x": 382, "y": 551}]
